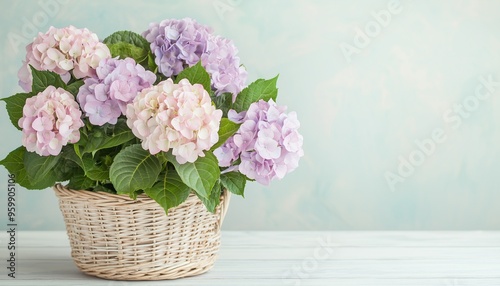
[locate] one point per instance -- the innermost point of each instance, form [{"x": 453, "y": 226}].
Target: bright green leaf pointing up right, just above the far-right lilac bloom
[{"x": 259, "y": 89}]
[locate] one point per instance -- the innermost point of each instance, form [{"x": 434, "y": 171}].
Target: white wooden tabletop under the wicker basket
[{"x": 294, "y": 258}]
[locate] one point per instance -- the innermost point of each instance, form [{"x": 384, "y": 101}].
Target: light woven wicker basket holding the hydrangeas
[{"x": 115, "y": 237}]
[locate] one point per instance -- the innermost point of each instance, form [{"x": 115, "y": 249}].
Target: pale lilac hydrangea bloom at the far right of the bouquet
[{"x": 268, "y": 143}]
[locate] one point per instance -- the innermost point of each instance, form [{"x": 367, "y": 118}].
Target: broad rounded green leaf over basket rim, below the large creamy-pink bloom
[{"x": 134, "y": 169}]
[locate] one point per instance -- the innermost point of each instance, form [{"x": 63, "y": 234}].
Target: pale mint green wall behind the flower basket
[{"x": 357, "y": 117}]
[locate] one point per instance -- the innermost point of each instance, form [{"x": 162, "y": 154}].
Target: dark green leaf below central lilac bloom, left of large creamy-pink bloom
[{"x": 99, "y": 139}]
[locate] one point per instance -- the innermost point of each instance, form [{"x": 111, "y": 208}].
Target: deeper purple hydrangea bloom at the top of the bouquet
[{"x": 177, "y": 44}]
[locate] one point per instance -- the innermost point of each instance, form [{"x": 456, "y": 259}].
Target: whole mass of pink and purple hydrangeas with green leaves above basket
[{"x": 164, "y": 113}]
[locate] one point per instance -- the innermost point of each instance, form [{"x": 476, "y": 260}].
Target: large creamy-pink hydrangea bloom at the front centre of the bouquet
[{"x": 179, "y": 116}]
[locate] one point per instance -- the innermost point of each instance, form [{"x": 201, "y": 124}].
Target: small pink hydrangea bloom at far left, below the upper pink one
[{"x": 51, "y": 119}]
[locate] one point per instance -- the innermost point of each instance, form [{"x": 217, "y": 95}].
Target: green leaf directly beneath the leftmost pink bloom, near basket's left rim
[{"x": 40, "y": 168}]
